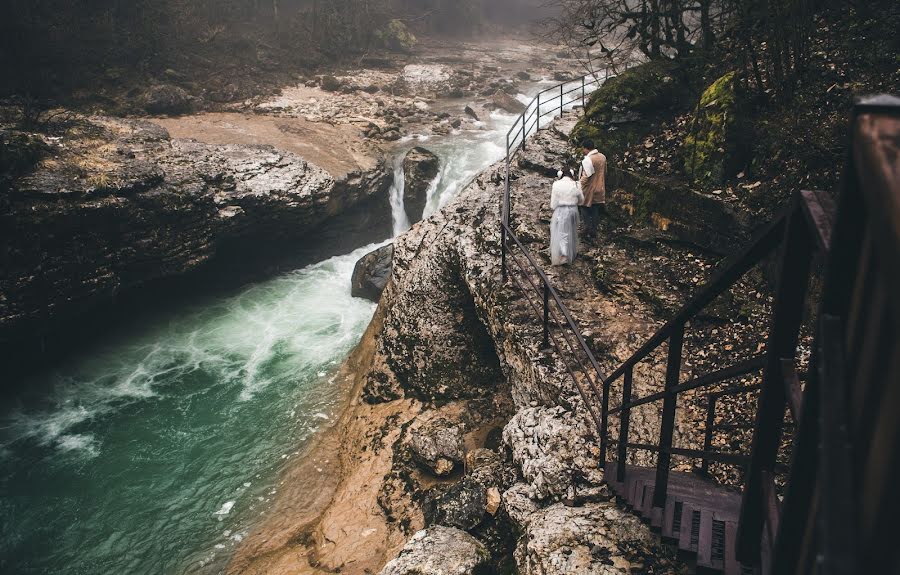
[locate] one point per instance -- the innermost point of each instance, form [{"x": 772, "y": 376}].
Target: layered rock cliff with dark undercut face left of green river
[{"x": 116, "y": 205}]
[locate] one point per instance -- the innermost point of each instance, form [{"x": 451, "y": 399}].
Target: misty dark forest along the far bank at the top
[{"x": 48, "y": 49}]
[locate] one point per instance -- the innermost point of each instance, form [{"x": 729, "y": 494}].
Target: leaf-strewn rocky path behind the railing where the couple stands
[{"x": 626, "y": 284}]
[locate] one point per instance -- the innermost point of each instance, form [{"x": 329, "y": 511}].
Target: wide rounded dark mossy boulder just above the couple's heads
[{"x": 625, "y": 108}]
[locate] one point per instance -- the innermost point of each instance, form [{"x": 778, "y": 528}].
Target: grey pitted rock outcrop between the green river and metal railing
[{"x": 452, "y": 331}]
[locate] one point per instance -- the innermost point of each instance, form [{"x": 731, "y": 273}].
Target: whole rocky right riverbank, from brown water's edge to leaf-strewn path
[{"x": 464, "y": 434}]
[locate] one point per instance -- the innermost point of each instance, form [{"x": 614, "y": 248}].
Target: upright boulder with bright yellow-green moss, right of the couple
[{"x": 716, "y": 148}]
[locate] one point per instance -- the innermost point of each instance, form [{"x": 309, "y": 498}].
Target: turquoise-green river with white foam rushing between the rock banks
[{"x": 156, "y": 452}]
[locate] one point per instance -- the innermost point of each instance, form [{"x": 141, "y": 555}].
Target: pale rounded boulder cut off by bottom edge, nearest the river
[{"x": 440, "y": 550}]
